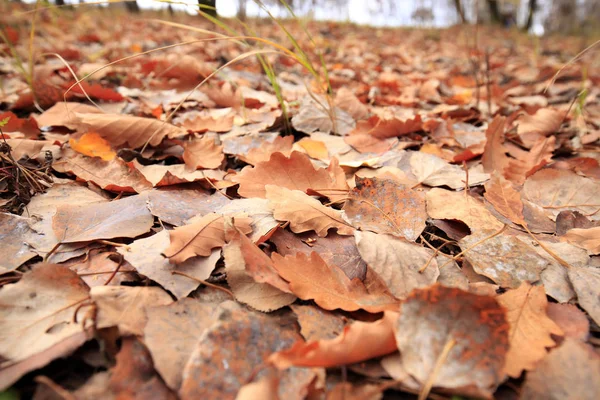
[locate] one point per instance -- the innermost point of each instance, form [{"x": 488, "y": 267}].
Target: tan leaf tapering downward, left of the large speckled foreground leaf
[{"x": 171, "y": 334}]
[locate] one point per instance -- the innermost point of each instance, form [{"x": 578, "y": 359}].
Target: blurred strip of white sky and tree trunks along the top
[{"x": 539, "y": 17}]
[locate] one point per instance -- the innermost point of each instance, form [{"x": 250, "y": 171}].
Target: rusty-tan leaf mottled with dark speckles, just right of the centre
[{"x": 384, "y": 206}]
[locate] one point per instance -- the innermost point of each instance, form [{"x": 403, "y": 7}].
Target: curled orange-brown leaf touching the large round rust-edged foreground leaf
[{"x": 347, "y": 348}]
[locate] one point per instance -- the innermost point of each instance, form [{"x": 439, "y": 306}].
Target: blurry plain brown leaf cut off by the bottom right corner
[{"x": 568, "y": 373}]
